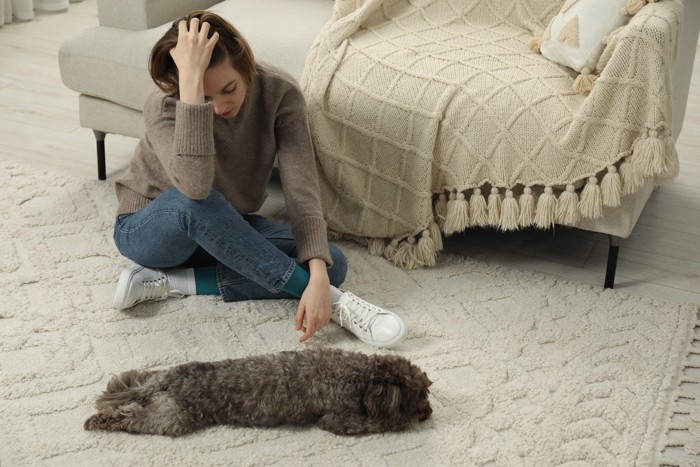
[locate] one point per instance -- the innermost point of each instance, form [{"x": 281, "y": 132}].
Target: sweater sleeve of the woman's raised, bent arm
[{"x": 182, "y": 137}]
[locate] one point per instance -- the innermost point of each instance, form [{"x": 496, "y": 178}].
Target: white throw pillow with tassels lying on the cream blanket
[{"x": 574, "y": 37}]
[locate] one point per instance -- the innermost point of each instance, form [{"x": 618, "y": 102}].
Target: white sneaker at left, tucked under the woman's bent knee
[{"x": 140, "y": 284}]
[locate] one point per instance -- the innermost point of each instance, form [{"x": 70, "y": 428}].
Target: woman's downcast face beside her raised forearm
[{"x": 224, "y": 86}]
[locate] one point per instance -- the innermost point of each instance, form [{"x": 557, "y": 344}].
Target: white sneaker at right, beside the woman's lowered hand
[{"x": 371, "y": 324}]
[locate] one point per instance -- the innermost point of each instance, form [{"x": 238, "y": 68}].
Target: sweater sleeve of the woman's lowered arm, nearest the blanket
[{"x": 296, "y": 158}]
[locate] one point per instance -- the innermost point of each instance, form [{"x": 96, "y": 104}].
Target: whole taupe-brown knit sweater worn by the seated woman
[{"x": 189, "y": 147}]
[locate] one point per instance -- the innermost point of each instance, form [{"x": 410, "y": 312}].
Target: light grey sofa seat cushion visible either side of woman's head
[{"x": 112, "y": 64}]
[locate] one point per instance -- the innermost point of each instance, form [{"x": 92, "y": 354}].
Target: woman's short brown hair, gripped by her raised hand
[{"x": 231, "y": 45}]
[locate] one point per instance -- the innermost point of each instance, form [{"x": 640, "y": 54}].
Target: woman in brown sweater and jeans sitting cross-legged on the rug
[{"x": 185, "y": 216}]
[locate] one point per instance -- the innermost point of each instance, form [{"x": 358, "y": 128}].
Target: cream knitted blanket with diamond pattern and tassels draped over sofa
[{"x": 433, "y": 116}]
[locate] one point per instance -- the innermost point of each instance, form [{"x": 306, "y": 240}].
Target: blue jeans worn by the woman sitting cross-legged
[{"x": 254, "y": 256}]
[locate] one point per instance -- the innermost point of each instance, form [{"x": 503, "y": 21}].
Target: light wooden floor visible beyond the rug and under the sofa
[{"x": 39, "y": 125}]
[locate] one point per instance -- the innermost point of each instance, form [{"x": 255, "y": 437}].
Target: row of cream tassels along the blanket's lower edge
[{"x": 653, "y": 158}]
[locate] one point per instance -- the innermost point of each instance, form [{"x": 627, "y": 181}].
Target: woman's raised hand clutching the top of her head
[{"x": 192, "y": 55}]
